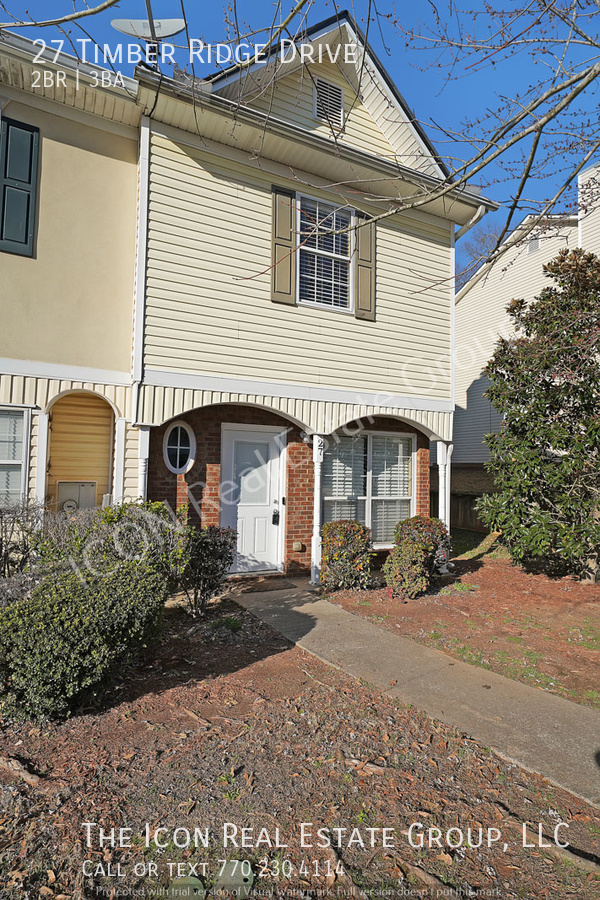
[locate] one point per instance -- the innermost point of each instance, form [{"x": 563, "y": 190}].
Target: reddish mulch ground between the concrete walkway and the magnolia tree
[{"x": 539, "y": 630}]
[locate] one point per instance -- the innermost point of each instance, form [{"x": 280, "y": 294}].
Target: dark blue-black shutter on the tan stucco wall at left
[{"x": 19, "y": 146}]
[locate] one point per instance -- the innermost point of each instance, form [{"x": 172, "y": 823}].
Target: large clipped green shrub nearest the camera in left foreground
[{"x": 62, "y": 643}]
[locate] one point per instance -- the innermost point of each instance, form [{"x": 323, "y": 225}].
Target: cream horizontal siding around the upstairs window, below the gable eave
[{"x": 208, "y": 291}]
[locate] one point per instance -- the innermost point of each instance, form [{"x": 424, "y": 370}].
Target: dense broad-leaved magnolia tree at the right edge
[{"x": 546, "y": 458}]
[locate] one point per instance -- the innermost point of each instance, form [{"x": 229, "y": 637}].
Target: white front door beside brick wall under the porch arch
[{"x": 251, "y": 495}]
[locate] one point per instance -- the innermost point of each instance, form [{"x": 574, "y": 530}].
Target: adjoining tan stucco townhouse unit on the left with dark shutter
[{"x": 68, "y": 189}]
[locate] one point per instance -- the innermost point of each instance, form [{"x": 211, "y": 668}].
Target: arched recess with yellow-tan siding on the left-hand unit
[{"x": 81, "y": 438}]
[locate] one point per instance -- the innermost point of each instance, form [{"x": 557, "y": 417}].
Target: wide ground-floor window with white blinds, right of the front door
[{"x": 368, "y": 478}]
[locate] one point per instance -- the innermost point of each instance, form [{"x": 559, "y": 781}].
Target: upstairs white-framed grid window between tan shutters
[{"x": 324, "y": 271}]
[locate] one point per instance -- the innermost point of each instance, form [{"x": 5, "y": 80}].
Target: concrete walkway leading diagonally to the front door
[{"x": 540, "y": 731}]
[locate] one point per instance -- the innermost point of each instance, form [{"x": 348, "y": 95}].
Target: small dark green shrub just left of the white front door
[{"x": 207, "y": 556}]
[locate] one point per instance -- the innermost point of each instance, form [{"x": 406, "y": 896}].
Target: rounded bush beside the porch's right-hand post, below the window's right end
[{"x": 422, "y": 547}]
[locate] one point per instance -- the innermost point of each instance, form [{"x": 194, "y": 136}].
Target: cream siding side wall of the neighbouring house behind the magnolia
[{"x": 481, "y": 319}]
